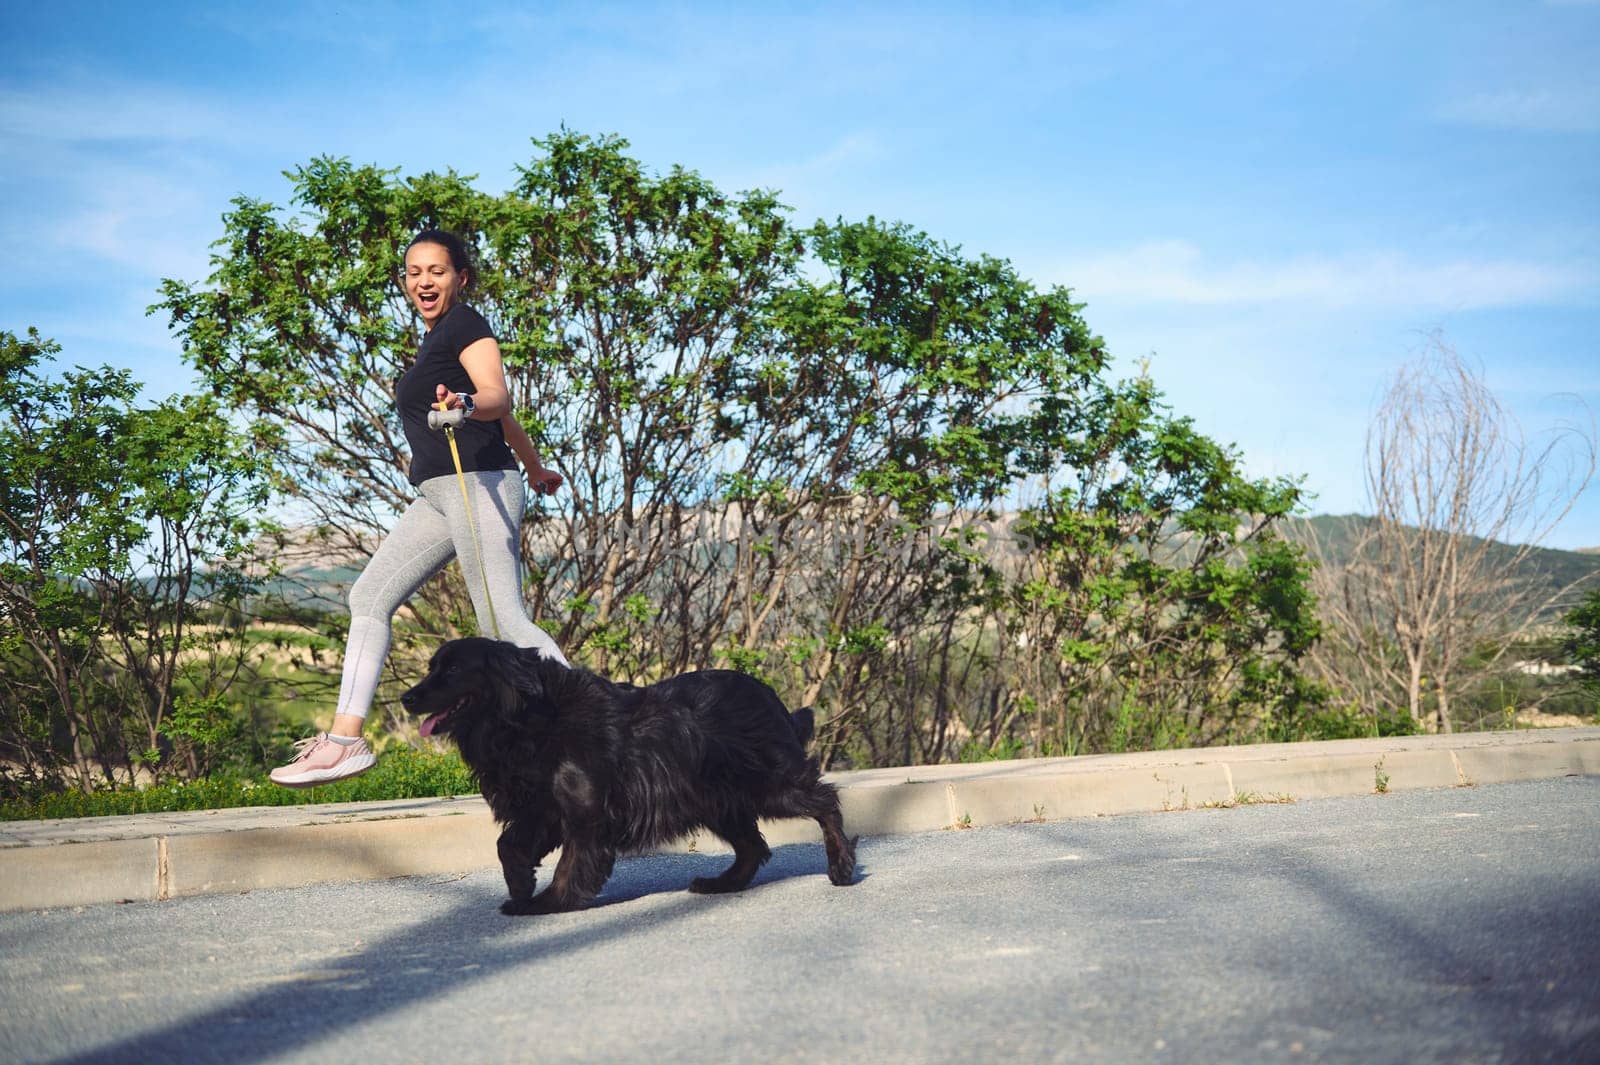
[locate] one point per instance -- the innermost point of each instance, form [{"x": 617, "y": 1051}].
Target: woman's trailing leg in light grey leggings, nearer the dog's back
[{"x": 497, "y": 509}]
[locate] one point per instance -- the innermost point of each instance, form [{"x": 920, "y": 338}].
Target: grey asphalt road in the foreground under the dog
[{"x": 1428, "y": 927}]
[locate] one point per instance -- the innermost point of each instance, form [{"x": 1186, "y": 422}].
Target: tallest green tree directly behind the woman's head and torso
[{"x": 618, "y": 297}]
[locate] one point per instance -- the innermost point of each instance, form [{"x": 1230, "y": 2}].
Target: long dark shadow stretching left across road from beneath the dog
[{"x": 463, "y": 944}]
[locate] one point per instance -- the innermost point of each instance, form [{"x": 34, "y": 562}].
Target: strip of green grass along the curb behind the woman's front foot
[{"x": 401, "y": 773}]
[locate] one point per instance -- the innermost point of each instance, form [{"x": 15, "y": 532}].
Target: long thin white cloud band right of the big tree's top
[{"x": 1178, "y": 273}]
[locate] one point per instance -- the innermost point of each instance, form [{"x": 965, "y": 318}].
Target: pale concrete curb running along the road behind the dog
[{"x": 166, "y": 856}]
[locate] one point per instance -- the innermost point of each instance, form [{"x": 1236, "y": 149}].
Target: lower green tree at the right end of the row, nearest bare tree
[{"x": 1158, "y": 576}]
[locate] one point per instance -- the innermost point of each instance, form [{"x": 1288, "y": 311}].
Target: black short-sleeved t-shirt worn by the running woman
[{"x": 439, "y": 364}]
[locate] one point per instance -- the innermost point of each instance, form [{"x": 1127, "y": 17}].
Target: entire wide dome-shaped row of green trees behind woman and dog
[{"x": 894, "y": 479}]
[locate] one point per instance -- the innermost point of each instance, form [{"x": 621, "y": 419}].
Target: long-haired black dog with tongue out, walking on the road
[{"x": 567, "y": 759}]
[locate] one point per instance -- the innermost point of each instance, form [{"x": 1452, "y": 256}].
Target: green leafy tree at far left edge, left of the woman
[{"x": 122, "y": 525}]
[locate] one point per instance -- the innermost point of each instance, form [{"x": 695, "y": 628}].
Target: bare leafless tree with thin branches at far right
[{"x": 1442, "y": 573}]
